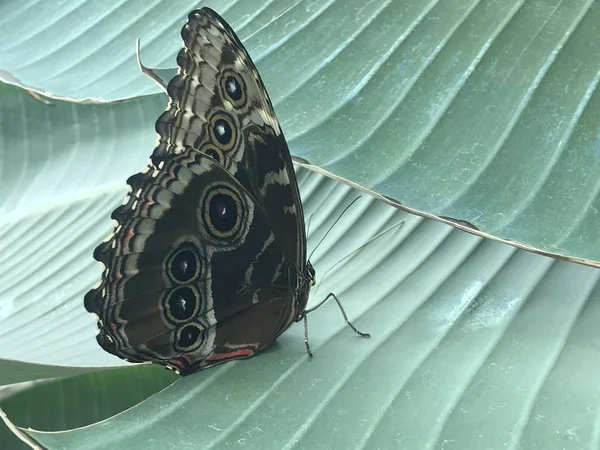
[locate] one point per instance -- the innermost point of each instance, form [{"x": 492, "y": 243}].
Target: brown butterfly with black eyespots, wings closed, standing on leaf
[{"x": 207, "y": 261}]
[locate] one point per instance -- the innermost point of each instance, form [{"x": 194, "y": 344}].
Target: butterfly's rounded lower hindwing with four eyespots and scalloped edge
[{"x": 174, "y": 271}]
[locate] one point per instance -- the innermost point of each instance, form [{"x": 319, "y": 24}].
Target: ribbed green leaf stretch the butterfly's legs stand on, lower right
[{"x": 474, "y": 344}]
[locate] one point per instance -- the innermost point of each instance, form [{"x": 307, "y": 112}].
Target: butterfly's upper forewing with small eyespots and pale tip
[{"x": 219, "y": 106}]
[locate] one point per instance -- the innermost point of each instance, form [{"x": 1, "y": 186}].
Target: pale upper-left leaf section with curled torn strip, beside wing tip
[{"x": 85, "y": 50}]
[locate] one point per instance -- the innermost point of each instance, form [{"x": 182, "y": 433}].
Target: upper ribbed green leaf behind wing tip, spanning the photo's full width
[{"x": 482, "y": 111}]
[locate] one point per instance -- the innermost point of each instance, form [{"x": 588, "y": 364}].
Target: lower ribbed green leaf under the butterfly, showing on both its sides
[{"x": 473, "y": 342}]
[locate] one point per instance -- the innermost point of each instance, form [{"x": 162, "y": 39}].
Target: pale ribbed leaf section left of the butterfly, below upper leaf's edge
[{"x": 58, "y": 188}]
